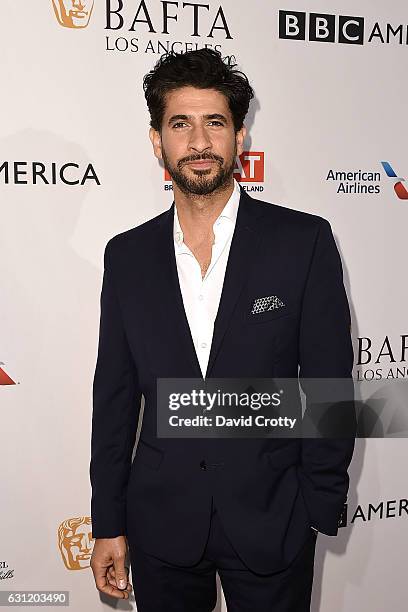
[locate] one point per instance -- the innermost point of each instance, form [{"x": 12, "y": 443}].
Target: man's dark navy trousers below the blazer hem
[{"x": 162, "y": 587}]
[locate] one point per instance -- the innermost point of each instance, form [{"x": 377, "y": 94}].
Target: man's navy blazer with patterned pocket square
[{"x": 269, "y": 491}]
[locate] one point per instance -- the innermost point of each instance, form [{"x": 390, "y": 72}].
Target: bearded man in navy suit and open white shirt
[{"x": 184, "y": 295}]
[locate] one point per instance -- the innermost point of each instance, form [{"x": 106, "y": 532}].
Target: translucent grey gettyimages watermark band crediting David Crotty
[{"x": 287, "y": 408}]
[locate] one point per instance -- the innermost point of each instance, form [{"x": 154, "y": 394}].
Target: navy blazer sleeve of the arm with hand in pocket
[{"x": 325, "y": 351}]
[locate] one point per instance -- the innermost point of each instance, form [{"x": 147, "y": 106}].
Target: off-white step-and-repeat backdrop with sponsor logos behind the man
[{"x": 327, "y": 135}]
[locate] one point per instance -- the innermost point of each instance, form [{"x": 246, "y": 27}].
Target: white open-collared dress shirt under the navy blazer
[{"x": 201, "y": 296}]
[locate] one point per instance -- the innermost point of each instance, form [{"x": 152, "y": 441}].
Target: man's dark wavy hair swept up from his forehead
[{"x": 204, "y": 69}]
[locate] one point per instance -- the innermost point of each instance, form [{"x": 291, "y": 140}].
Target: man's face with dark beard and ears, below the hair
[{"x": 198, "y": 143}]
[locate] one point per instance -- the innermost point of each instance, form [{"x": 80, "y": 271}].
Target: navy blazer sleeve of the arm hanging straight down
[{"x": 116, "y": 406}]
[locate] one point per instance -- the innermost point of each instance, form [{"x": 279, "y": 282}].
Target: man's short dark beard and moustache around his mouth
[{"x": 201, "y": 183}]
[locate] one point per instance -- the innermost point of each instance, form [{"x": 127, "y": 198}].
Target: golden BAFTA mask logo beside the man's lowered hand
[{"x": 75, "y": 542}]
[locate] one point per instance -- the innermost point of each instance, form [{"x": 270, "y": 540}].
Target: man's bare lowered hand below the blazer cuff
[{"x": 108, "y": 566}]
